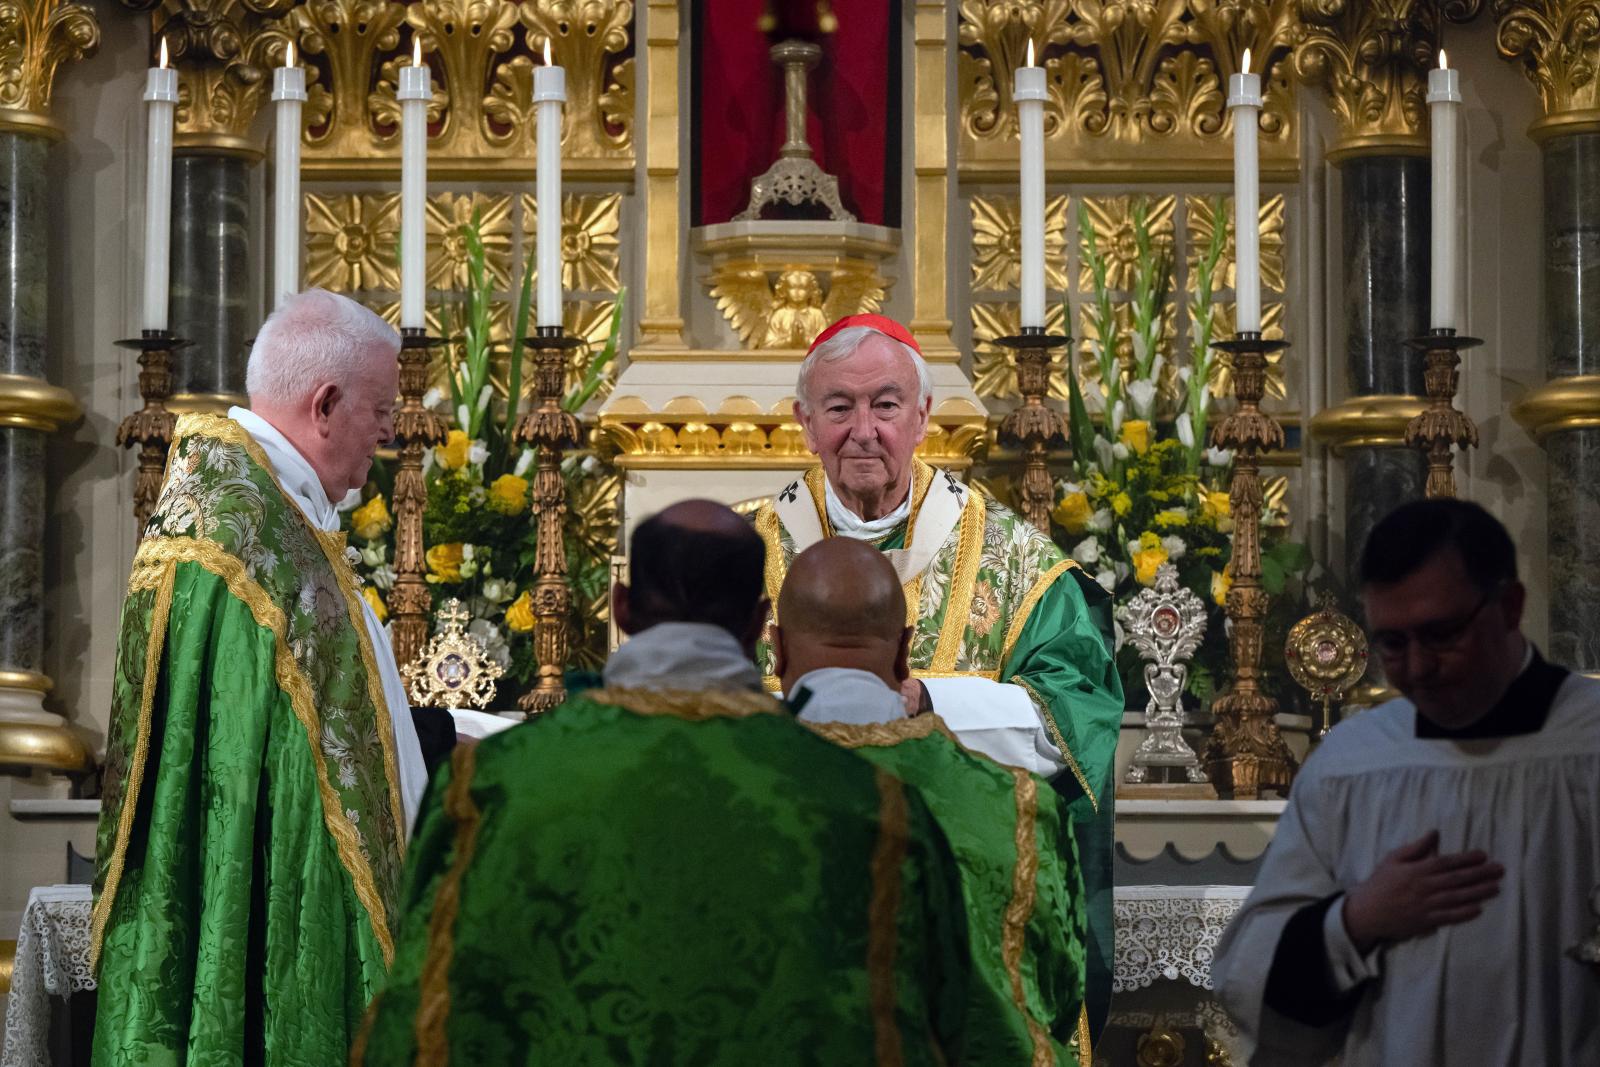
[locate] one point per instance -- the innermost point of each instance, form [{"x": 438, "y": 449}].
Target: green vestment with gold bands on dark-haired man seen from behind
[{"x": 668, "y": 877}]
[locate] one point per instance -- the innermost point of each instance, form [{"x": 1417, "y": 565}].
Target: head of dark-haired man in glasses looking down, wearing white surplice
[{"x": 1446, "y": 644}]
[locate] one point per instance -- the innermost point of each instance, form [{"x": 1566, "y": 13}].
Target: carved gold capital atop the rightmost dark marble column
[{"x": 1558, "y": 44}]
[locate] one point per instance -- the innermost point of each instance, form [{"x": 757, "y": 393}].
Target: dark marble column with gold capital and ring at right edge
[{"x": 1558, "y": 47}]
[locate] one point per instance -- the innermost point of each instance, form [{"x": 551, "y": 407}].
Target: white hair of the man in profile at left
[{"x": 314, "y": 338}]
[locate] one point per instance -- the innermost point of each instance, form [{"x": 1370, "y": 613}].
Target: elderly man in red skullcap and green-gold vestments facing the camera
[{"x": 1012, "y": 642}]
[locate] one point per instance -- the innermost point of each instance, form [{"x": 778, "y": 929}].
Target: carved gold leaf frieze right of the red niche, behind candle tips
[{"x": 1130, "y": 73}]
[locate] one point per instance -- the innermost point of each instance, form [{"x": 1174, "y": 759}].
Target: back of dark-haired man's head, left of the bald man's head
[{"x": 695, "y": 562}]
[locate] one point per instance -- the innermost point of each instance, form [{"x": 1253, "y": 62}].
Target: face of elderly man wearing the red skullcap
[{"x": 866, "y": 420}]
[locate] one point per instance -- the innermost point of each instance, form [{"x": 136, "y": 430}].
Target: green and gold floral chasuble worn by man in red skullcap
[{"x": 991, "y": 597}]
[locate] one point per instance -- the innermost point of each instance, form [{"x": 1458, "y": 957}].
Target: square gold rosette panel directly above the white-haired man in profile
[{"x": 353, "y": 242}]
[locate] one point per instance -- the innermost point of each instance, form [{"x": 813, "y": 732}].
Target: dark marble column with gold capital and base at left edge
[{"x": 36, "y": 39}]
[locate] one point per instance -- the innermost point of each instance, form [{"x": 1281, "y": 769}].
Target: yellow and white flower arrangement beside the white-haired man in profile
[{"x": 478, "y": 522}]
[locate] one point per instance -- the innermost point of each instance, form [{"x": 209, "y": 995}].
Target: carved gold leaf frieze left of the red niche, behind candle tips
[{"x": 482, "y": 62}]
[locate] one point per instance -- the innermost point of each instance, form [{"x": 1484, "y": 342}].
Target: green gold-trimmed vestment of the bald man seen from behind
[{"x": 1020, "y": 882}]
